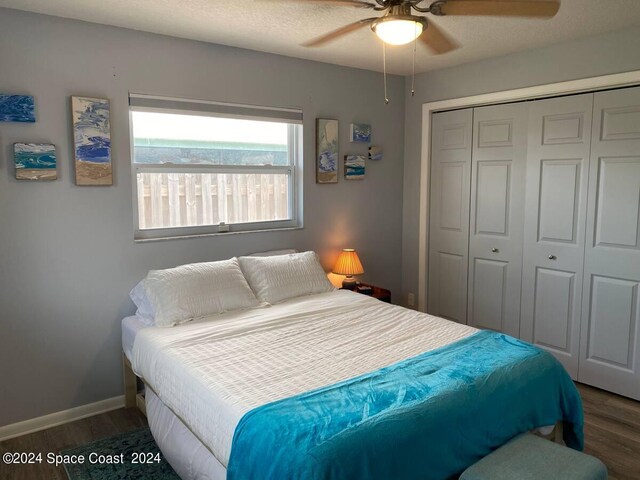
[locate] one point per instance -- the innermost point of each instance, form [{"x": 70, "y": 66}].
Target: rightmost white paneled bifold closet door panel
[{"x": 610, "y": 346}]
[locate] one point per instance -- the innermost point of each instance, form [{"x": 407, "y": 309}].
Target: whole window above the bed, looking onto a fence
[{"x": 202, "y": 168}]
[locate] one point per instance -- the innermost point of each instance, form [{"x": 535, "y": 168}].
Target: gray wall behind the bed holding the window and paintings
[{"x": 67, "y": 255}]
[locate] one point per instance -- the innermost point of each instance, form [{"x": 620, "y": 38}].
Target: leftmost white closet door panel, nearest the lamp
[{"x": 449, "y": 214}]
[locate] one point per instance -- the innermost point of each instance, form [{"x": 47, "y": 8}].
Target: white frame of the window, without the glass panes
[{"x": 220, "y": 110}]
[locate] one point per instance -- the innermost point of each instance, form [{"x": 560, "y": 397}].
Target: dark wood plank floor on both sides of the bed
[{"x": 612, "y": 433}]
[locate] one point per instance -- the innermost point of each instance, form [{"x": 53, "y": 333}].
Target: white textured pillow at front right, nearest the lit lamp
[{"x": 274, "y": 279}]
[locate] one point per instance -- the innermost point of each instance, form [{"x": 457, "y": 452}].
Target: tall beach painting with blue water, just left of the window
[{"x": 92, "y": 141}]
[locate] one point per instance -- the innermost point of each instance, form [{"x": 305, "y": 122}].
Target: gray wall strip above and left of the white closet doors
[{"x": 588, "y": 57}]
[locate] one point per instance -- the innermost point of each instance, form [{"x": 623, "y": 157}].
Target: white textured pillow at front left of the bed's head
[{"x": 180, "y": 294}]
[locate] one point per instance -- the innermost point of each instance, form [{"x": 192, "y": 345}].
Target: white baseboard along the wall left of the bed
[{"x": 58, "y": 418}]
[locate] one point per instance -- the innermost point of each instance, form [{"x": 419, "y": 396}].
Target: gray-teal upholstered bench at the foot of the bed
[{"x": 528, "y": 457}]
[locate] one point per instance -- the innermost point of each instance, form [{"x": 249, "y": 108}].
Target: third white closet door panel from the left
[{"x": 554, "y": 233}]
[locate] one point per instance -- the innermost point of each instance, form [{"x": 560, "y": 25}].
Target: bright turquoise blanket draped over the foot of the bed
[{"x": 402, "y": 421}]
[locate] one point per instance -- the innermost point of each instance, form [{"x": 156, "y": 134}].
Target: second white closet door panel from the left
[{"x": 497, "y": 197}]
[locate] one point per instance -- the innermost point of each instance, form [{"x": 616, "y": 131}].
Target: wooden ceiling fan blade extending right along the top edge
[{"x": 501, "y": 8}]
